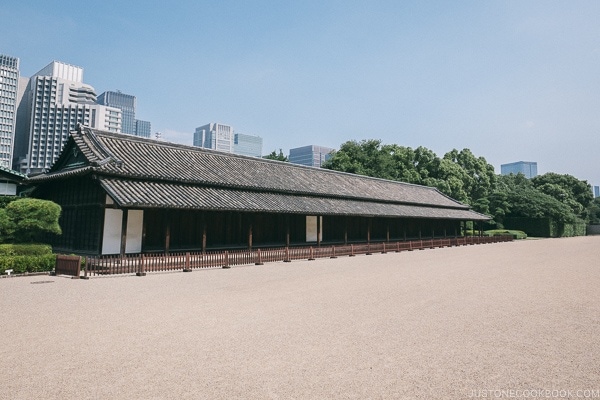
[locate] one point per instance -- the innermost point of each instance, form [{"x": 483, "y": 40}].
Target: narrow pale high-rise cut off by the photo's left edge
[{"x": 9, "y": 88}]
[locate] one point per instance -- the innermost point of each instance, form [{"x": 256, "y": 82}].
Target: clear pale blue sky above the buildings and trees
[{"x": 510, "y": 80}]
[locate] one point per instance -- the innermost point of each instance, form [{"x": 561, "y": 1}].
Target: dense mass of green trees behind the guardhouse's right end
[{"x": 471, "y": 180}]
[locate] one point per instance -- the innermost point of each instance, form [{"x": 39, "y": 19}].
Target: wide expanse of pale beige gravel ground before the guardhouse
[{"x": 446, "y": 323}]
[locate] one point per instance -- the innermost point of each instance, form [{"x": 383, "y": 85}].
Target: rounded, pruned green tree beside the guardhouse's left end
[{"x": 31, "y": 218}]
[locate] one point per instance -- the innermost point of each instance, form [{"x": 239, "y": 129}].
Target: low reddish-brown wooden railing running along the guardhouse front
[{"x": 140, "y": 264}]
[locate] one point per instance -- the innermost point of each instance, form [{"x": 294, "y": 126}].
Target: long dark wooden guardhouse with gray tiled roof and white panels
[{"x": 124, "y": 194}]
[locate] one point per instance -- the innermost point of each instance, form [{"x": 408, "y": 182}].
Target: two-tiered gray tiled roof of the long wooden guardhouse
[{"x": 148, "y": 173}]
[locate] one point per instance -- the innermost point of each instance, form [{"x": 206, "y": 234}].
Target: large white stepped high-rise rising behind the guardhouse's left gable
[{"x": 53, "y": 103}]
